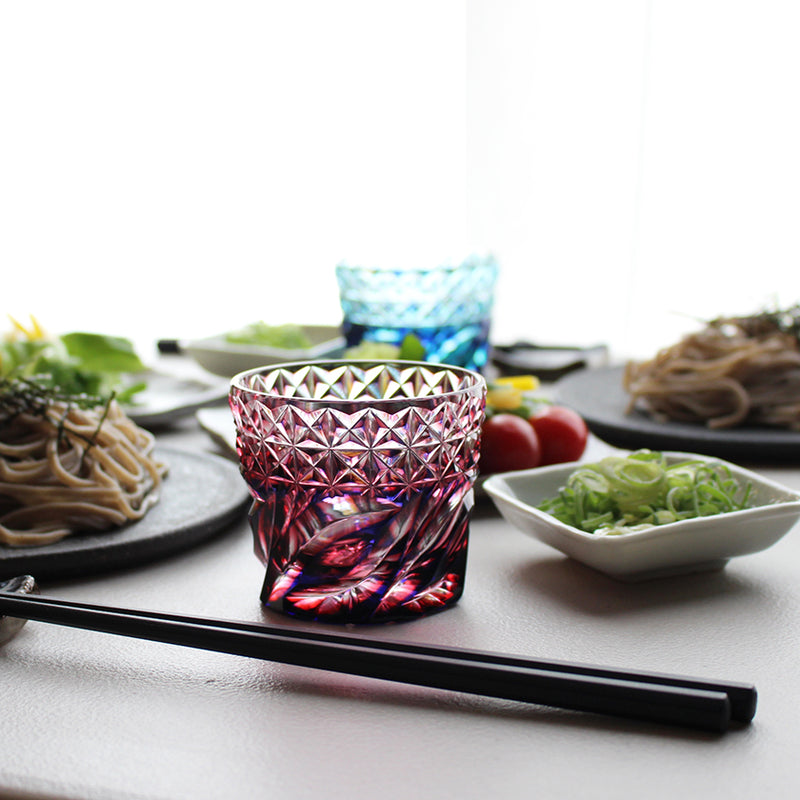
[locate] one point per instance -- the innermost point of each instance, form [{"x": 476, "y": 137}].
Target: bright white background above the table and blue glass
[{"x": 176, "y": 168}]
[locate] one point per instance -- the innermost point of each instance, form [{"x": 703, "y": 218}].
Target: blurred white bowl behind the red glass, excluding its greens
[{"x": 221, "y": 357}]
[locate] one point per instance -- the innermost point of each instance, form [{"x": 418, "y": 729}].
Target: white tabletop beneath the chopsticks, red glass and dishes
[{"x": 89, "y": 715}]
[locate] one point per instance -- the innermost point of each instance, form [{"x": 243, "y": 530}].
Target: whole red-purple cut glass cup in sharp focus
[{"x": 361, "y": 474}]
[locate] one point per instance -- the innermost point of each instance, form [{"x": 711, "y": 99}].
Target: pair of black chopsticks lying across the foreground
[{"x": 670, "y": 699}]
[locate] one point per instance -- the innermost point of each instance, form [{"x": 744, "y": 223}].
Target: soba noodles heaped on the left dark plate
[{"x": 65, "y": 469}]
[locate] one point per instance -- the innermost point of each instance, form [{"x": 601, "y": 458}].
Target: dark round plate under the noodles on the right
[{"x": 600, "y": 398}]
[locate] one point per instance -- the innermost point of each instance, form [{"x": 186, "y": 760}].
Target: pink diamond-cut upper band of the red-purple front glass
[{"x": 348, "y": 427}]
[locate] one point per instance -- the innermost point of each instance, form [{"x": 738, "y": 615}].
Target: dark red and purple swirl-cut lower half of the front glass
[{"x": 358, "y": 559}]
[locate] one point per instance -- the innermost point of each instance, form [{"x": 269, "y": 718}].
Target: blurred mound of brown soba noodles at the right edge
[{"x": 733, "y": 372}]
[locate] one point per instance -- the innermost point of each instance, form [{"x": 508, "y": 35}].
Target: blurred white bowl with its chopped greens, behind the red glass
[{"x": 260, "y": 344}]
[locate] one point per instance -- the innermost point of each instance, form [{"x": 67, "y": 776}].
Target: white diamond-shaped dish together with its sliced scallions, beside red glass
[{"x": 647, "y": 514}]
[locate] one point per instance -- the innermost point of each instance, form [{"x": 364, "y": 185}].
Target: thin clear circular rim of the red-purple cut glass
[{"x": 237, "y": 382}]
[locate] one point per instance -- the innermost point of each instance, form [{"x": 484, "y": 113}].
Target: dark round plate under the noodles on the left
[{"x": 201, "y": 496}]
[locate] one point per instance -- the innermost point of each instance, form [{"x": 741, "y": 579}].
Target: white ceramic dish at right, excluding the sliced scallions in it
[{"x": 692, "y": 545}]
